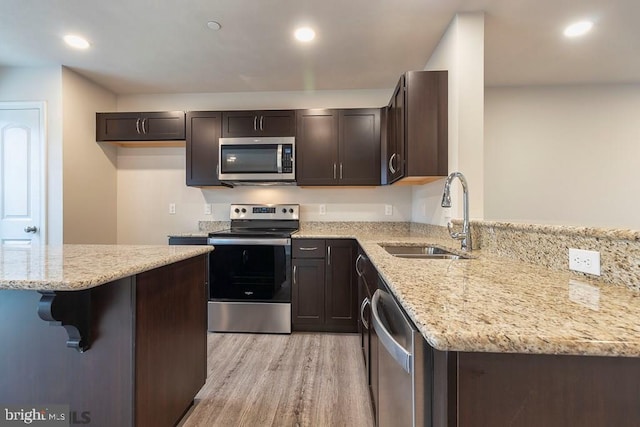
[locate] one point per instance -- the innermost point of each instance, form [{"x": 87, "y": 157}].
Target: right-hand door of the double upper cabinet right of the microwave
[{"x": 359, "y": 147}]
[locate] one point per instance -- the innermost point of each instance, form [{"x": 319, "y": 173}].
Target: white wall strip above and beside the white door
[{"x": 43, "y": 84}]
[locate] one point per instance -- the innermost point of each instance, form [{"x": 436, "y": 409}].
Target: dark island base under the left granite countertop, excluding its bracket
[{"x": 146, "y": 360}]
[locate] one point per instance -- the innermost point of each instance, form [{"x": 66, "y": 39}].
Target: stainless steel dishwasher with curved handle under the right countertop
[{"x": 405, "y": 365}]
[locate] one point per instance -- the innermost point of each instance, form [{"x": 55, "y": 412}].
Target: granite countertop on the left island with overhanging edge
[{"x": 77, "y": 267}]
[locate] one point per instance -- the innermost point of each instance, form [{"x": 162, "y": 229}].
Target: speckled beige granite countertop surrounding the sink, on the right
[{"x": 495, "y": 304}]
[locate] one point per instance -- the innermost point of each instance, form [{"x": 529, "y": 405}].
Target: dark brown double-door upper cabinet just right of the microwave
[{"x": 338, "y": 147}]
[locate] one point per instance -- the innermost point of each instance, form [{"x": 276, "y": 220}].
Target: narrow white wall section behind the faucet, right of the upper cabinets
[{"x": 461, "y": 52}]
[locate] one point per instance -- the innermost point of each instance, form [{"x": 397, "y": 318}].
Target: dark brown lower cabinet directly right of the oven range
[{"x": 324, "y": 295}]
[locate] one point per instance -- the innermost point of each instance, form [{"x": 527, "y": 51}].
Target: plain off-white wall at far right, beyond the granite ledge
[{"x": 563, "y": 155}]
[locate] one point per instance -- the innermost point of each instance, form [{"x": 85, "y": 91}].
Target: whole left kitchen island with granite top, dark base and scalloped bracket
[{"x": 116, "y": 332}]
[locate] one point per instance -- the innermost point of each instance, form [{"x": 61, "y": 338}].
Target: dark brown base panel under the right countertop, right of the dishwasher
[{"x": 491, "y": 389}]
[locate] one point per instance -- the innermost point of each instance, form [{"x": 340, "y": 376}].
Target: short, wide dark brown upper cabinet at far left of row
[{"x": 152, "y": 126}]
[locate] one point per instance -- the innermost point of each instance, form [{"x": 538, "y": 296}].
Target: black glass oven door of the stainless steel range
[{"x": 250, "y": 269}]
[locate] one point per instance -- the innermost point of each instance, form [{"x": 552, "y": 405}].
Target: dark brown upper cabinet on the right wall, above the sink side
[{"x": 416, "y": 149}]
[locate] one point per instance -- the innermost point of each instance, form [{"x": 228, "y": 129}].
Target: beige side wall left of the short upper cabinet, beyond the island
[{"x": 89, "y": 177}]
